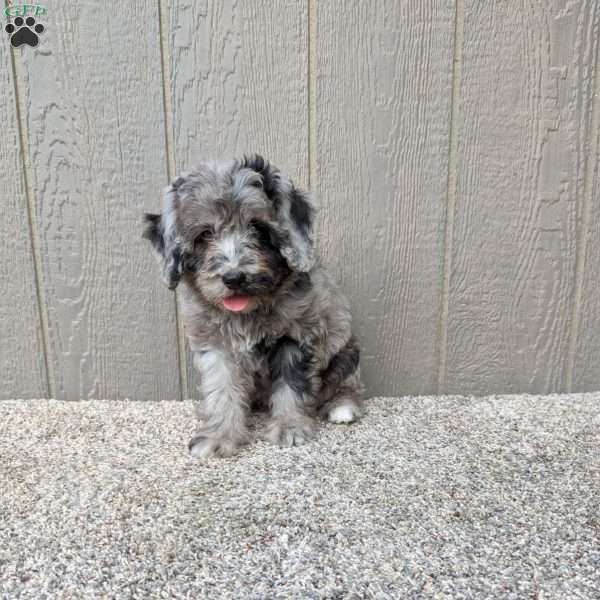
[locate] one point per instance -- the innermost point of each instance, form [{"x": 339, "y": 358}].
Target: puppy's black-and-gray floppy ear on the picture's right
[{"x": 295, "y": 214}]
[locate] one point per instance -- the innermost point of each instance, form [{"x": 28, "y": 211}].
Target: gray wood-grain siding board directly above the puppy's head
[{"x": 239, "y": 85}]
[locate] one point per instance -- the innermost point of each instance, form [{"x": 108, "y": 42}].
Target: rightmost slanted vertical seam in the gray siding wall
[{"x": 583, "y": 230}]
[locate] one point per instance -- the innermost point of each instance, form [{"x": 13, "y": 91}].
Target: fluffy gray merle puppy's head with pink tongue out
[{"x": 234, "y": 230}]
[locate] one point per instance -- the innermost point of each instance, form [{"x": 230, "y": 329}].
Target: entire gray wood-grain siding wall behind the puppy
[{"x": 453, "y": 145}]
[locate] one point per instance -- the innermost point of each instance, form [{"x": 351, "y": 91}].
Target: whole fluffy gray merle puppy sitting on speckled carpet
[{"x": 265, "y": 322}]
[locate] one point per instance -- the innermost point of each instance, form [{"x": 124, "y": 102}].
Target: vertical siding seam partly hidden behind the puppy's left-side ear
[{"x": 170, "y": 156}]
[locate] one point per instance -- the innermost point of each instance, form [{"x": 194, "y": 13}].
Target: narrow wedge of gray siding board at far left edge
[{"x": 22, "y": 367}]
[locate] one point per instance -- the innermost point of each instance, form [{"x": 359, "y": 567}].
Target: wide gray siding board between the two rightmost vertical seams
[{"x": 523, "y": 135}]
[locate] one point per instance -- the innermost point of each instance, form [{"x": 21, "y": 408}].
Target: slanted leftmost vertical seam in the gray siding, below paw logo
[{"x": 31, "y": 220}]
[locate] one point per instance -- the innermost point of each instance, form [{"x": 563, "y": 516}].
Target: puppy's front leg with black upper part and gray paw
[{"x": 291, "y": 423}]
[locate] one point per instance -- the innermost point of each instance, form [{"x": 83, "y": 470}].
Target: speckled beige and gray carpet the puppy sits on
[{"x": 425, "y": 498}]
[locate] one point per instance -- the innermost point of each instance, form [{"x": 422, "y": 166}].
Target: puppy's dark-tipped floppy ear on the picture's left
[{"x": 162, "y": 233}]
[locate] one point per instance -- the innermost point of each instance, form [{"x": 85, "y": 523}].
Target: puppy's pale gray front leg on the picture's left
[{"x": 223, "y": 406}]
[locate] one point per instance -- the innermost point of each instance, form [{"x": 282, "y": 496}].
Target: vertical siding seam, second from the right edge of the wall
[{"x": 451, "y": 185}]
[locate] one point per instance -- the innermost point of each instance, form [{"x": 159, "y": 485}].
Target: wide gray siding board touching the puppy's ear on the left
[{"x": 93, "y": 114}]
